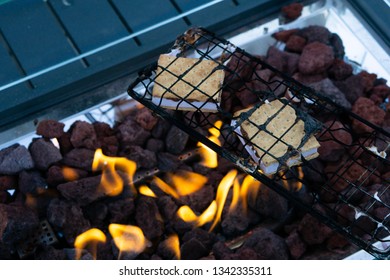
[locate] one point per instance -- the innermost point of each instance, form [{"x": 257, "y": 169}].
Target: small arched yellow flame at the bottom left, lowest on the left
[{"x": 89, "y": 239}]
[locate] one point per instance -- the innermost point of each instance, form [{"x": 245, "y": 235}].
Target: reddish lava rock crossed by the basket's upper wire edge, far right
[{"x": 367, "y": 109}]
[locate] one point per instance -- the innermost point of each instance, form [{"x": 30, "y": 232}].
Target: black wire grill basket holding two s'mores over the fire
[{"x": 350, "y": 195}]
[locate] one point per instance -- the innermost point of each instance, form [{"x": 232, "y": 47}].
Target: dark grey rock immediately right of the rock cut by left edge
[{"x": 44, "y": 153}]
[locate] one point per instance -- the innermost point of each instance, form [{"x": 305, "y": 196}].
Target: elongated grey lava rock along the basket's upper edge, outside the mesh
[{"x": 328, "y": 89}]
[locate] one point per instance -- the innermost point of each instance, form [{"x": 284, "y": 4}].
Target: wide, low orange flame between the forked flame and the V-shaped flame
[{"x": 183, "y": 183}]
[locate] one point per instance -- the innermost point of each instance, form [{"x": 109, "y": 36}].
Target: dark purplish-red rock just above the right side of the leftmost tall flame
[{"x": 131, "y": 133}]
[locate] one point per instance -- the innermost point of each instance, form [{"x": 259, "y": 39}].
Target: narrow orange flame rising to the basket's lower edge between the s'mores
[{"x": 209, "y": 157}]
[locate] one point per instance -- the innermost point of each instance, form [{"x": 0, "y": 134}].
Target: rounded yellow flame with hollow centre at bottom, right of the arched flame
[{"x": 127, "y": 238}]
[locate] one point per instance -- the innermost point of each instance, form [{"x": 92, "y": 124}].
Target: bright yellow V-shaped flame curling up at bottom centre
[{"x": 186, "y": 214}]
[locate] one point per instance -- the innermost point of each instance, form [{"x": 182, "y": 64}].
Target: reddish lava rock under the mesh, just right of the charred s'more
[{"x": 333, "y": 141}]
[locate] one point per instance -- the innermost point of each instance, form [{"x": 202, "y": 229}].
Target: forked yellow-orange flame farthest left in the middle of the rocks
[{"x": 111, "y": 183}]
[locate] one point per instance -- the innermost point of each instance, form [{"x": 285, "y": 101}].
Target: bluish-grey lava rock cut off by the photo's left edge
[{"x": 14, "y": 159}]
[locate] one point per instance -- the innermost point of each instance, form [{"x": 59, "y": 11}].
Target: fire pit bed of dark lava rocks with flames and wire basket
[{"x": 173, "y": 184}]
